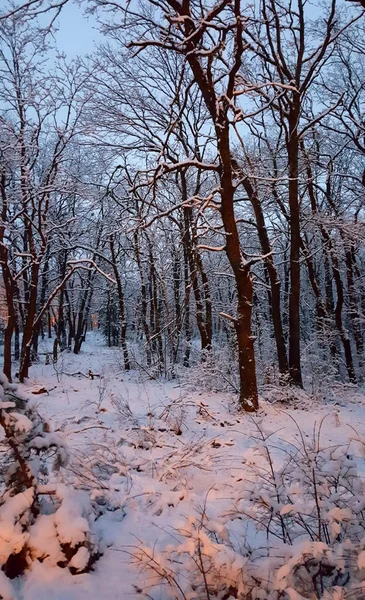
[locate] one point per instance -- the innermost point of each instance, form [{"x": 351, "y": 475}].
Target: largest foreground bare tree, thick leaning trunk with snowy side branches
[{"x": 210, "y": 40}]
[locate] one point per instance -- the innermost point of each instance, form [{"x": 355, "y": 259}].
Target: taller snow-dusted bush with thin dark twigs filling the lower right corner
[{"x": 310, "y": 507}]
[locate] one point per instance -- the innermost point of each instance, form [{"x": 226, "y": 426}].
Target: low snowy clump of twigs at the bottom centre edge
[{"x": 200, "y": 564}]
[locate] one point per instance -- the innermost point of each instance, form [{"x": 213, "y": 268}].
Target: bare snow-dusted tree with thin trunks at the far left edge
[{"x": 40, "y": 115}]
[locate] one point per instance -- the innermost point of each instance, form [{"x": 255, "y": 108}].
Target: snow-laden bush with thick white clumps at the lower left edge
[{"x": 38, "y": 519}]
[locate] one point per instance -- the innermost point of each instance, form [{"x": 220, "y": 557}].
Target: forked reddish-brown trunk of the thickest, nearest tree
[{"x": 219, "y": 106}]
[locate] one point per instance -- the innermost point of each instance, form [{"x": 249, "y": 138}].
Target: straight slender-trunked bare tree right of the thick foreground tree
[{"x": 293, "y": 56}]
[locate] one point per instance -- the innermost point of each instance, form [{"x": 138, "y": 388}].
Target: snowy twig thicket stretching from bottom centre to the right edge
[{"x": 295, "y": 530}]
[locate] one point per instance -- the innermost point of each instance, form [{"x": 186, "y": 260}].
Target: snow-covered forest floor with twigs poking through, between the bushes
[{"x": 162, "y": 461}]
